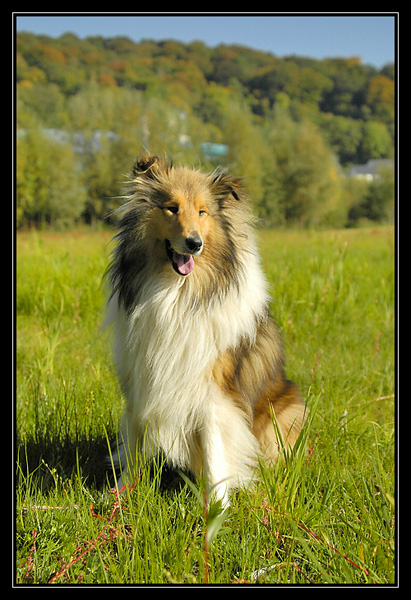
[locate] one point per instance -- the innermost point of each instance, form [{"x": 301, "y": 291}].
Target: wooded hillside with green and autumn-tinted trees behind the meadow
[{"x": 292, "y": 127}]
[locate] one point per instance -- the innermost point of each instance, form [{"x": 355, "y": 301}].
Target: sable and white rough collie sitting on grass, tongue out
[{"x": 199, "y": 359}]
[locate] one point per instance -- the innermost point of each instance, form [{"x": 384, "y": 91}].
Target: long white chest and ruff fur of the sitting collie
[{"x": 165, "y": 351}]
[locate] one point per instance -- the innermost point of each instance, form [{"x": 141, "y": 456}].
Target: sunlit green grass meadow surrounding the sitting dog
[{"x": 325, "y": 515}]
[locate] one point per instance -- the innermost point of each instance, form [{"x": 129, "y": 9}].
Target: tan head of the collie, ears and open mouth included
[{"x": 187, "y": 203}]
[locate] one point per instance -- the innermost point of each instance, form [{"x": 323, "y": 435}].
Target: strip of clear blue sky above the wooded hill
[{"x": 370, "y": 36}]
